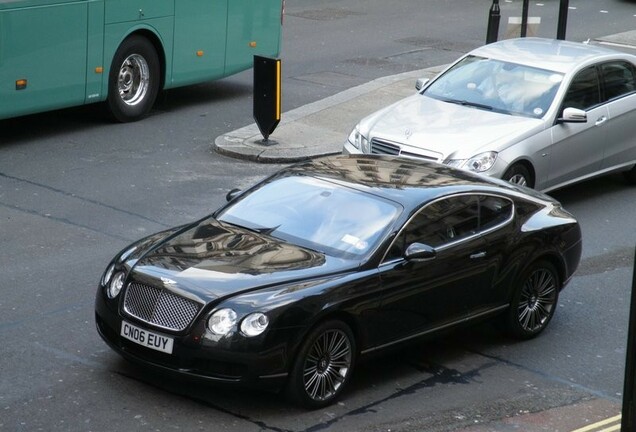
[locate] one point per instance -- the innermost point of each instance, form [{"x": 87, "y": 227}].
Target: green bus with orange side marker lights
[{"x": 61, "y": 53}]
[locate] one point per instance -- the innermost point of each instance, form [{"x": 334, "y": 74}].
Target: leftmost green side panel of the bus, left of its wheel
[{"x": 45, "y": 44}]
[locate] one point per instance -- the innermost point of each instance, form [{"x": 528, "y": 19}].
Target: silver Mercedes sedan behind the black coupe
[{"x": 538, "y": 112}]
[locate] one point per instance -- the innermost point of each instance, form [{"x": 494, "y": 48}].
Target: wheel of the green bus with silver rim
[{"x": 133, "y": 82}]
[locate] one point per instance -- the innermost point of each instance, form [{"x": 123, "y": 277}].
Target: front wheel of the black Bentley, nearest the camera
[{"x": 323, "y": 366}]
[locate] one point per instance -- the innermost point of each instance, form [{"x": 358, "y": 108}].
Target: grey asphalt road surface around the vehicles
[{"x": 74, "y": 189}]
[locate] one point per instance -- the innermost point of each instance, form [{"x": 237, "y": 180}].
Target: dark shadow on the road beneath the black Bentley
[{"x": 421, "y": 365}]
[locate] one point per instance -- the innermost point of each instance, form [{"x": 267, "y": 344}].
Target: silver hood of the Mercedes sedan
[{"x": 446, "y": 130}]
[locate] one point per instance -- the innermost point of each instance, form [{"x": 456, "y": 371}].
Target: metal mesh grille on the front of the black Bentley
[{"x": 159, "y": 307}]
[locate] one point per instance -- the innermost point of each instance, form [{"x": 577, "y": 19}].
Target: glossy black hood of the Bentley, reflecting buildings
[{"x": 211, "y": 260}]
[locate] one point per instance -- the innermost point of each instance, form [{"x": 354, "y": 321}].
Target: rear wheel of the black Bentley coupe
[{"x": 534, "y": 301}]
